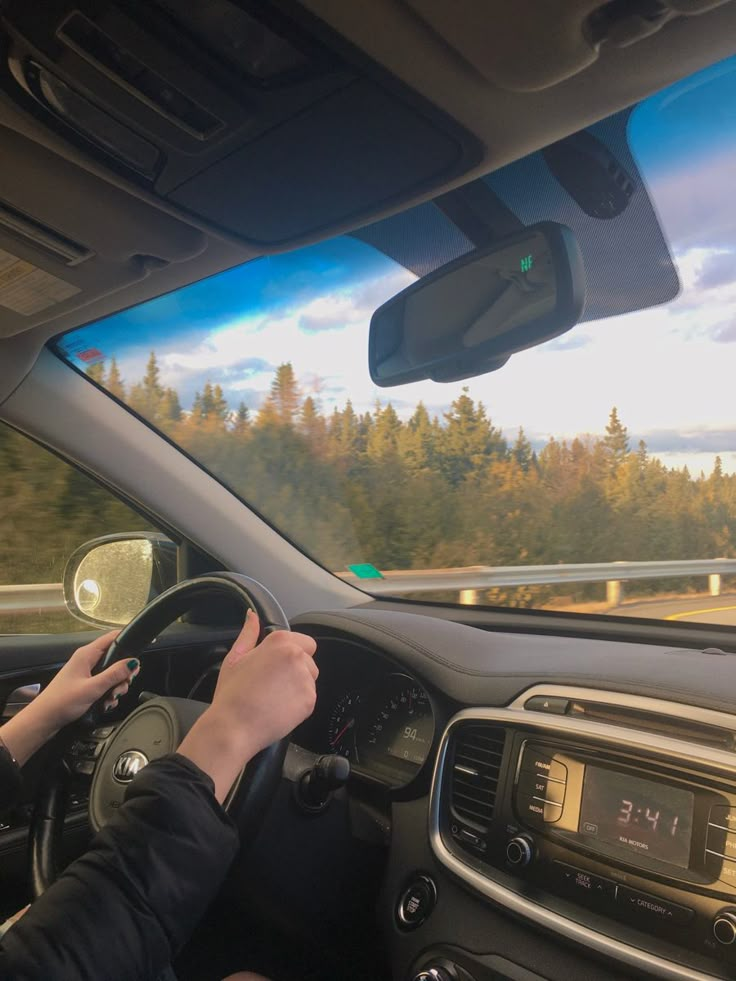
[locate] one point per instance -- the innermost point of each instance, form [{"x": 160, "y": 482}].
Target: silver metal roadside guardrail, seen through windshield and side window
[{"x": 48, "y": 597}]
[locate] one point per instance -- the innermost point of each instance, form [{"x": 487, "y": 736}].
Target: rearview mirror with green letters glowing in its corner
[{"x": 470, "y": 316}]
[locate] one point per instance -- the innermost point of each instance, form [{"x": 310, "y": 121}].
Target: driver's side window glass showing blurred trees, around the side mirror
[{"x": 48, "y": 508}]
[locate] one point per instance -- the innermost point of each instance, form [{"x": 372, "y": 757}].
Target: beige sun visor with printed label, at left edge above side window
[{"x": 61, "y": 249}]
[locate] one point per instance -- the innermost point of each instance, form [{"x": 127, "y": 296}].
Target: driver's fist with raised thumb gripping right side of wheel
[{"x": 263, "y": 692}]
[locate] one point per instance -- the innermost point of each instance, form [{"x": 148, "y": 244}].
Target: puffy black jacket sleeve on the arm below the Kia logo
[{"x": 123, "y": 910}]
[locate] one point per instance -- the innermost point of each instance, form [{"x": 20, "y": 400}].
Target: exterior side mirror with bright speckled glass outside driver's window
[{"x": 108, "y": 580}]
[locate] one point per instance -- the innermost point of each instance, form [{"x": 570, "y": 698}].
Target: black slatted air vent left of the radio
[{"x": 476, "y": 767}]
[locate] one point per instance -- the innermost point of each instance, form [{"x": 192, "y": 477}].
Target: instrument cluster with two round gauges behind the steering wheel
[{"x": 370, "y": 711}]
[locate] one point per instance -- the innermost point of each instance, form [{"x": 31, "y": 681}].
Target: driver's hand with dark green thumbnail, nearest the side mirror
[{"x": 74, "y": 689}]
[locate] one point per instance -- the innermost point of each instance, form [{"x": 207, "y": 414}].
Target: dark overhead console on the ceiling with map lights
[{"x": 259, "y": 123}]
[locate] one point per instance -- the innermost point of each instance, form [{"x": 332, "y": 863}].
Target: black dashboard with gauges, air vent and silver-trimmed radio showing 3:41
[{"x": 552, "y": 807}]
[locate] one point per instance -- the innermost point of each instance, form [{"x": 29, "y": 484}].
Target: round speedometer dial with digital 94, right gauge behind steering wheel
[{"x": 397, "y": 729}]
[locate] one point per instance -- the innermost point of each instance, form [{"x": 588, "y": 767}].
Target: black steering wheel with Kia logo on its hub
[{"x": 152, "y": 730}]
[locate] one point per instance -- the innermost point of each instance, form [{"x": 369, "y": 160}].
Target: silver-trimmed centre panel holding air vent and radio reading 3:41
[{"x": 608, "y": 819}]
